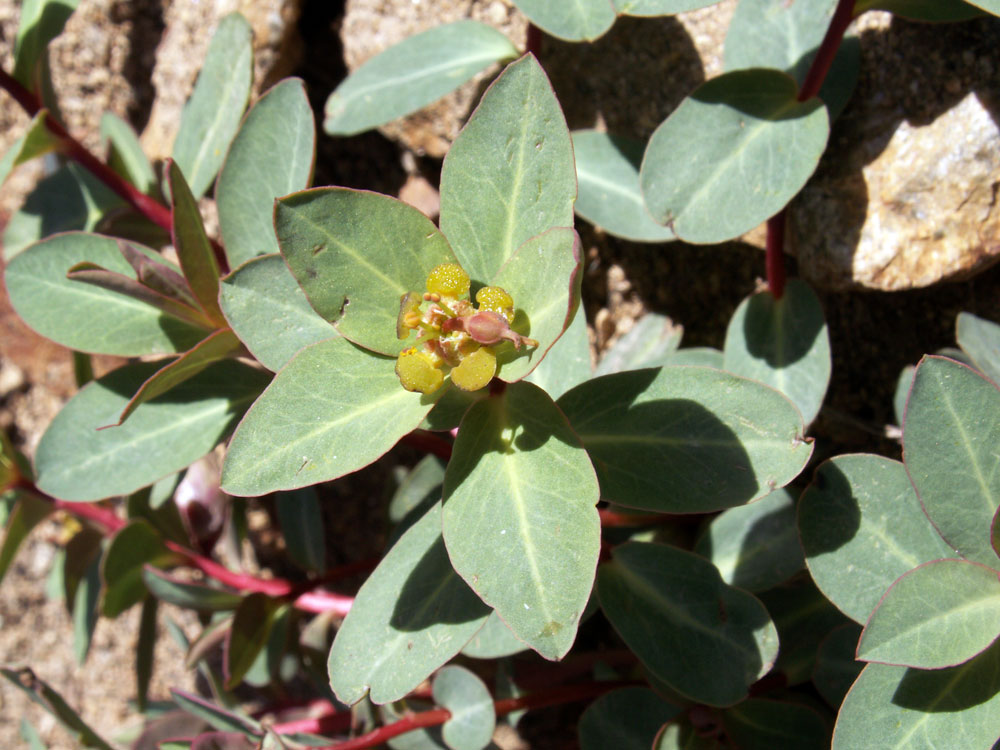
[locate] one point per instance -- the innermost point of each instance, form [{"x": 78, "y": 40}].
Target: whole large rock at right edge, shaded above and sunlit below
[{"x": 906, "y": 195}]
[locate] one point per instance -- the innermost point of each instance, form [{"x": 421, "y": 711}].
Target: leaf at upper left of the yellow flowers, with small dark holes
[{"x": 355, "y": 254}]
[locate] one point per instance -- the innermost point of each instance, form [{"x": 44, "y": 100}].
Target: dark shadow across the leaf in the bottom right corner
[{"x": 952, "y": 689}]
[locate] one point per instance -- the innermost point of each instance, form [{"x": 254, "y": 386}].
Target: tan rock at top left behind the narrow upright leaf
[{"x": 189, "y": 28}]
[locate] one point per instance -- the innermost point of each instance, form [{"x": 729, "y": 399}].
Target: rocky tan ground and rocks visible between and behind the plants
[{"x": 139, "y": 58}]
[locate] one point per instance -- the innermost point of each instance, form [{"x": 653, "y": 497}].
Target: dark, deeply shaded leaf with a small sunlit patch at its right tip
[{"x": 706, "y": 640}]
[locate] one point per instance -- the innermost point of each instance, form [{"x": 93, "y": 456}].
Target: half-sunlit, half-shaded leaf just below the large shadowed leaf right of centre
[{"x": 755, "y": 546}]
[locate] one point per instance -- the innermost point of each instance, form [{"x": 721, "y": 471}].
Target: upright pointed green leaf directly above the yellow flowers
[{"x": 509, "y": 175}]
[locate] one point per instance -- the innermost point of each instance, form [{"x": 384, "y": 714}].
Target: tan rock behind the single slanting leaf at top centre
[{"x": 371, "y": 26}]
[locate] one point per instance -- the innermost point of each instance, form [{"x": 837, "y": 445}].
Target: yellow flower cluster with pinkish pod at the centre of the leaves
[{"x": 453, "y": 335}]
